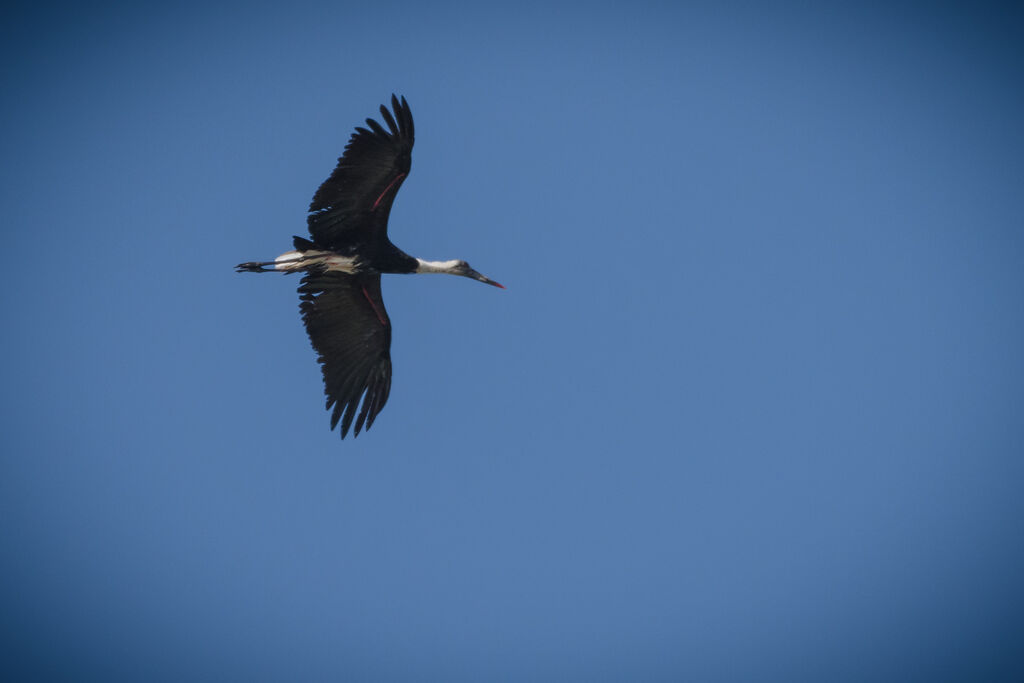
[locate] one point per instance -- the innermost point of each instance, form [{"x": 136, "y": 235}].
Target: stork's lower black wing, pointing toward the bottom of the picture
[{"x": 351, "y": 331}]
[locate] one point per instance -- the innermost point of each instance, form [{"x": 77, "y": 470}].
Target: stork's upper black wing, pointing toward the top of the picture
[{"x": 355, "y": 203}]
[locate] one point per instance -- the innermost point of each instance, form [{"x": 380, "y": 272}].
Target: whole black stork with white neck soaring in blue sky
[{"x": 340, "y": 293}]
